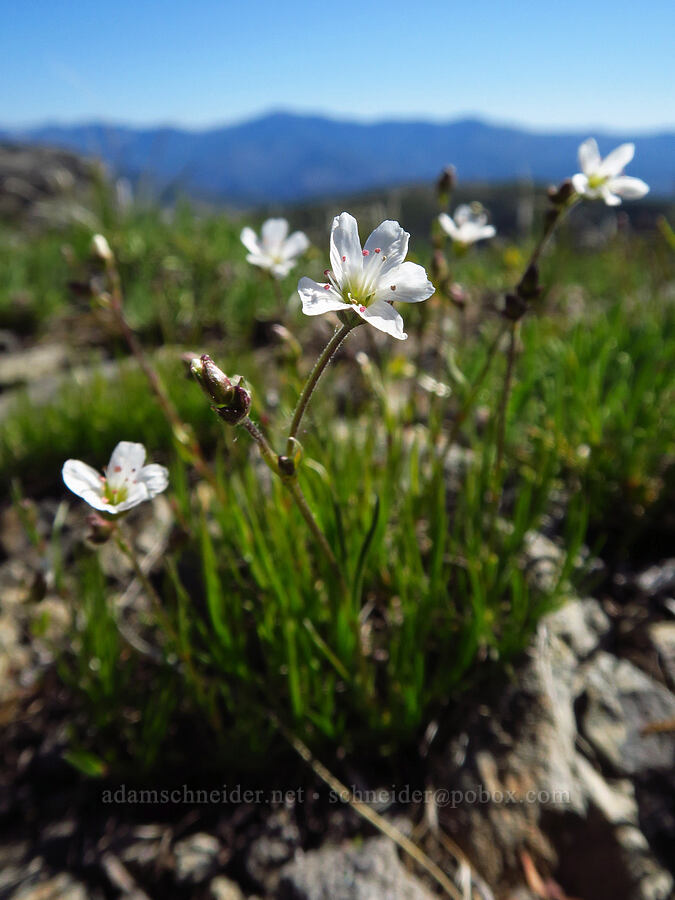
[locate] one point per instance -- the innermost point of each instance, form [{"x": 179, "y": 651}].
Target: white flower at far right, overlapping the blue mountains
[{"x": 602, "y": 178}]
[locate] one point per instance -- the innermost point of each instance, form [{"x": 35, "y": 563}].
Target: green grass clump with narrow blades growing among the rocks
[{"x": 433, "y": 541}]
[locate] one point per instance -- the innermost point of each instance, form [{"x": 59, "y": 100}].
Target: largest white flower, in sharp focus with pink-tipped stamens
[{"x": 367, "y": 280}]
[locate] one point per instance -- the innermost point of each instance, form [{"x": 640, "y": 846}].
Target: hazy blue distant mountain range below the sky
[{"x": 282, "y": 158}]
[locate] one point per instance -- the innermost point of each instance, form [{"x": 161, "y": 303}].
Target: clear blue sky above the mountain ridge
[{"x": 606, "y": 64}]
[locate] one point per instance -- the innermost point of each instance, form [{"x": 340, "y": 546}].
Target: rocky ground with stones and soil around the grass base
[{"x": 587, "y": 724}]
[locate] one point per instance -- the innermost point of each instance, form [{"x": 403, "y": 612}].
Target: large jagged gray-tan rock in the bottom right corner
[{"x": 575, "y": 819}]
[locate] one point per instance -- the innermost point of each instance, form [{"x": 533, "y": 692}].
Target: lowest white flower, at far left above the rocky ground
[{"x": 127, "y": 482}]
